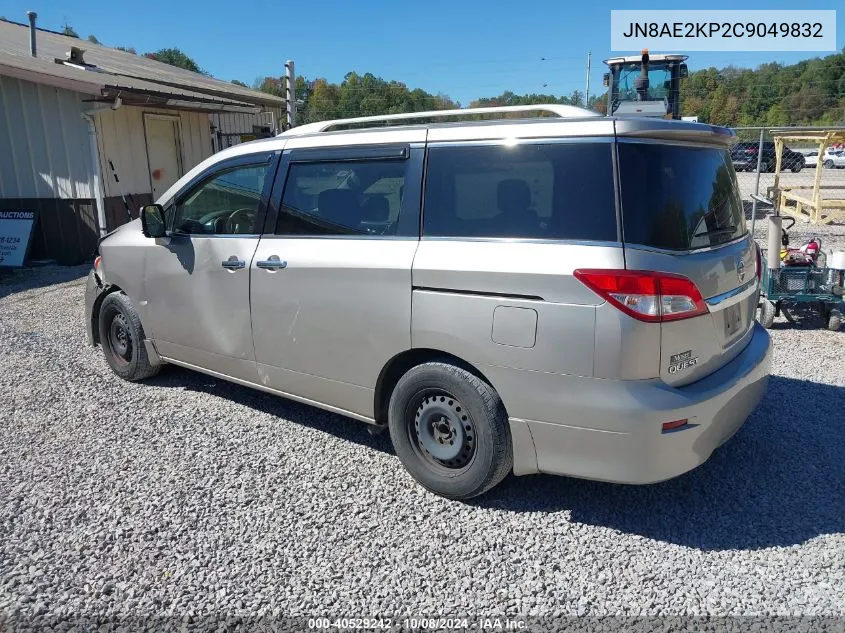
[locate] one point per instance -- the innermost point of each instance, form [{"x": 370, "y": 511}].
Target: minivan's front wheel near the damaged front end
[{"x": 122, "y": 339}]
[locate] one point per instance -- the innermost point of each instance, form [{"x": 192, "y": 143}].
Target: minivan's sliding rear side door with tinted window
[{"x": 331, "y": 290}]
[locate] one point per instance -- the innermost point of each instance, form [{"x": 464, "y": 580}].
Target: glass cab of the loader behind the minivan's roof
[{"x": 645, "y": 85}]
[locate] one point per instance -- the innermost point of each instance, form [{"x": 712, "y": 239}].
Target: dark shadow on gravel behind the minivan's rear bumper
[{"x": 778, "y": 482}]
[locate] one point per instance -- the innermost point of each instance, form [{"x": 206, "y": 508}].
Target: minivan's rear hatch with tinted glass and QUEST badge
[{"x": 682, "y": 214}]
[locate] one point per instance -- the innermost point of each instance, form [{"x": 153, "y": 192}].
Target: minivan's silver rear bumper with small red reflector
[{"x": 612, "y": 430}]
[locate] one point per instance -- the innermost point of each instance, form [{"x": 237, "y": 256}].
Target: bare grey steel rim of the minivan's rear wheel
[{"x": 444, "y": 431}]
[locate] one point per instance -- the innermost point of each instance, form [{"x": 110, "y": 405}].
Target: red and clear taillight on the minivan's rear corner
[{"x": 646, "y": 295}]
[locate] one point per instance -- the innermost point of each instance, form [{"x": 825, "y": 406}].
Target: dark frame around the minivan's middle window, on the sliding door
[{"x": 412, "y": 154}]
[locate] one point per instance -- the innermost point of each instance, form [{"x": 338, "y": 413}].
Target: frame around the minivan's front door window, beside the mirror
[{"x": 270, "y": 158}]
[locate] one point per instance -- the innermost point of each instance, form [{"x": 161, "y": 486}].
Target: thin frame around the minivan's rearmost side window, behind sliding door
[{"x": 576, "y": 140}]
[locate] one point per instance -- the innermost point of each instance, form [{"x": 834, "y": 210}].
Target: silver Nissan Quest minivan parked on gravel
[{"x": 564, "y": 293}]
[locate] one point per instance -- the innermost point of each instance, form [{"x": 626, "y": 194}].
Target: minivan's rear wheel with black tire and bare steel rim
[{"x": 450, "y": 430}]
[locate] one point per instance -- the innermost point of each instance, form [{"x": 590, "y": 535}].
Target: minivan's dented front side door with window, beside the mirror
[{"x": 197, "y": 278}]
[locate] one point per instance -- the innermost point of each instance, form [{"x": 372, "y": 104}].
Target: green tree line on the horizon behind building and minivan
[{"x": 811, "y": 92}]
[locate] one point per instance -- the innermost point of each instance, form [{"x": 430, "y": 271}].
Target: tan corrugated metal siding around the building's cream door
[{"x": 121, "y": 139}]
